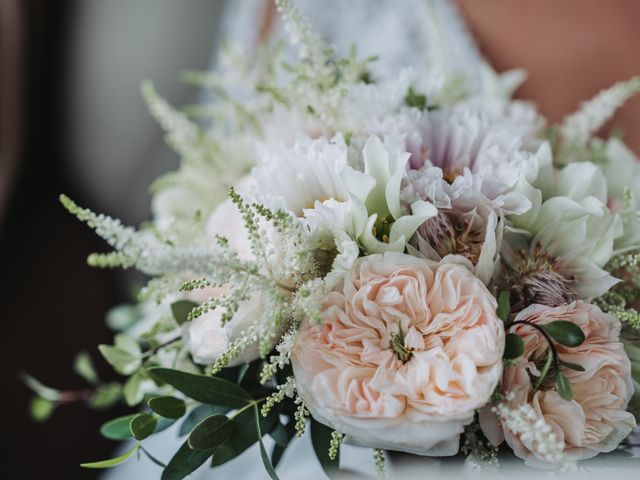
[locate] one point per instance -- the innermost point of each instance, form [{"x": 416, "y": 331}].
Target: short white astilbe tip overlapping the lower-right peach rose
[{"x": 532, "y": 430}]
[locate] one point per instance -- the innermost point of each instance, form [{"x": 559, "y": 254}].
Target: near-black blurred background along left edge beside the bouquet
[{"x": 52, "y": 302}]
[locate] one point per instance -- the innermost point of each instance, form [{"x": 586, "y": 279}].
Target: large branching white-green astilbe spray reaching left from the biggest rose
[{"x": 287, "y": 295}]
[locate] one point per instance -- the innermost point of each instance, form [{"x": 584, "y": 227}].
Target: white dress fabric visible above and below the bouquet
[{"x": 401, "y": 33}]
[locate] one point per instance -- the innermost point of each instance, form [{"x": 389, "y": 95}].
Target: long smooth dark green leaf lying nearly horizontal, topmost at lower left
[{"x": 210, "y": 390}]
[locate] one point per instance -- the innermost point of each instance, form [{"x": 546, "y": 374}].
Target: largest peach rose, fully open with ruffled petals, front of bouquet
[{"x": 406, "y": 351}]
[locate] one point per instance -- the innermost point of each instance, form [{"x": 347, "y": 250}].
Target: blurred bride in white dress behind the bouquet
[{"x": 418, "y": 32}]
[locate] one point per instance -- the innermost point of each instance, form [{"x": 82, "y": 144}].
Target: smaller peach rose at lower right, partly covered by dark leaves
[{"x": 595, "y": 420}]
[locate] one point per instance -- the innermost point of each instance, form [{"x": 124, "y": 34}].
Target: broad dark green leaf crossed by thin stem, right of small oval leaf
[{"x": 244, "y": 435}]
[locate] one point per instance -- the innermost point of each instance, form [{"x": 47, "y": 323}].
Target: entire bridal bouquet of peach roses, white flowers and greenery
[{"x": 411, "y": 265}]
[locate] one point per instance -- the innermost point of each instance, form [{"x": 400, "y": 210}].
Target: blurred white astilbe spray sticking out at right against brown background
[{"x": 578, "y": 127}]
